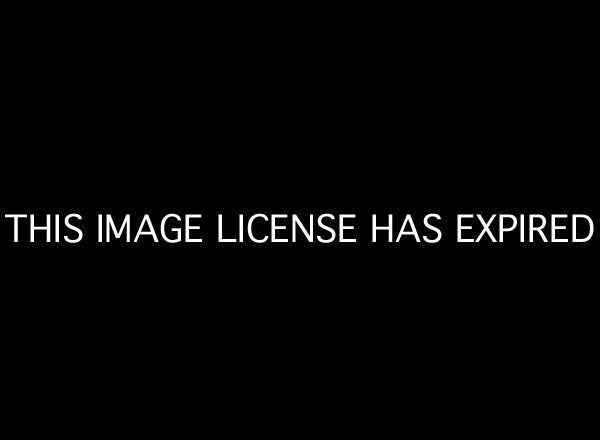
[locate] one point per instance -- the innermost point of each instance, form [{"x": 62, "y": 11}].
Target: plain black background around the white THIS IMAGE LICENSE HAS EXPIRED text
[{"x": 368, "y": 113}]
